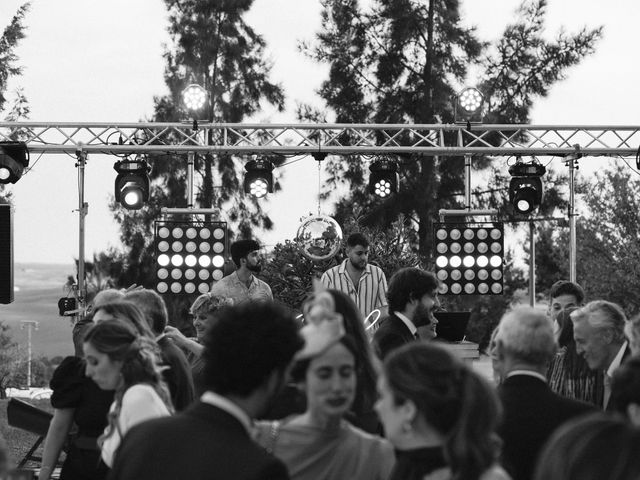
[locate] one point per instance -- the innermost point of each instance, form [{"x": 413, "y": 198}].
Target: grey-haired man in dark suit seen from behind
[{"x": 532, "y": 412}]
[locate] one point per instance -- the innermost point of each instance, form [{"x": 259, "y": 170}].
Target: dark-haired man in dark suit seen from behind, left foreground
[{"x": 247, "y": 354}]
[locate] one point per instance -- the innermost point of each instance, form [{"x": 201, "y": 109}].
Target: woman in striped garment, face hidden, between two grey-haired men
[{"x": 568, "y": 373}]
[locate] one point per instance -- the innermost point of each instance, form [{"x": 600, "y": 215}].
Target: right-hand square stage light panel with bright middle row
[{"x": 475, "y": 272}]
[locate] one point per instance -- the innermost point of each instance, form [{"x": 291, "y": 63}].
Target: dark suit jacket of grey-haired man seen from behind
[{"x": 532, "y": 412}]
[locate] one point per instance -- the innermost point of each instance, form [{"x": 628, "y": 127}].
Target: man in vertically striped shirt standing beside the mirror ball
[{"x": 364, "y": 283}]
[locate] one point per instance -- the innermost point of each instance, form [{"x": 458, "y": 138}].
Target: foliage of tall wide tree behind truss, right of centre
[{"x": 402, "y": 62}]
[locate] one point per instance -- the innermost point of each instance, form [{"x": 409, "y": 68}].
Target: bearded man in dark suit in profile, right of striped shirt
[{"x": 412, "y": 297}]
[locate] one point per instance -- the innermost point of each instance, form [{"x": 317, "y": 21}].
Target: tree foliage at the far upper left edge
[{"x": 19, "y": 107}]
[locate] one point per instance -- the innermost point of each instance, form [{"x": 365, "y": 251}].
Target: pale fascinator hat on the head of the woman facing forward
[{"x": 324, "y": 327}]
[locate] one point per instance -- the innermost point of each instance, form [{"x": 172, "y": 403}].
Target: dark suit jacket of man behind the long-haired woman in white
[{"x": 178, "y": 375}]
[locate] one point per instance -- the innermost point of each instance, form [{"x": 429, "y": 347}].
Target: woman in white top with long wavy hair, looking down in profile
[{"x": 118, "y": 358}]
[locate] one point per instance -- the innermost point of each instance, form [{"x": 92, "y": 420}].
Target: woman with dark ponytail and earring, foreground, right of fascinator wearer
[{"x": 440, "y": 416}]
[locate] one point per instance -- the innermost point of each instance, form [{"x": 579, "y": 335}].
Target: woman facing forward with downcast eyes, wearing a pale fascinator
[{"x": 320, "y": 444}]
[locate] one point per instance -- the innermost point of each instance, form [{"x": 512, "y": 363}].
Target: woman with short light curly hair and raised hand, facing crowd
[{"x": 204, "y": 311}]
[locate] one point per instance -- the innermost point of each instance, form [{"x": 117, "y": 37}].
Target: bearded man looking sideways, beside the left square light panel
[{"x": 243, "y": 285}]
